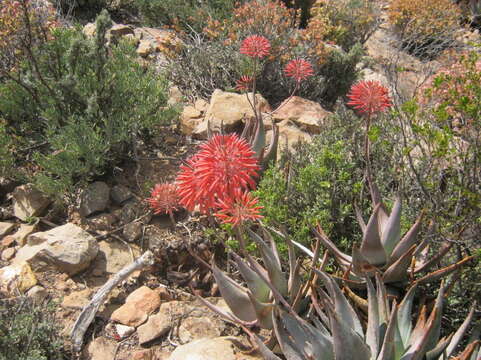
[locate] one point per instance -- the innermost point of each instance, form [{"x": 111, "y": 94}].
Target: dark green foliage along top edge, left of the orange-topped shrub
[{"x": 187, "y": 15}]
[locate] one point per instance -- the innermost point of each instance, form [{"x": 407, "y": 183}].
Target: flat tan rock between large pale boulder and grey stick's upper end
[{"x": 113, "y": 256}]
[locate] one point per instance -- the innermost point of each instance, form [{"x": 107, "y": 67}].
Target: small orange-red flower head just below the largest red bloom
[{"x": 238, "y": 208}]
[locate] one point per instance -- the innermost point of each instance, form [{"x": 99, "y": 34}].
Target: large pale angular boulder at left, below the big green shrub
[{"x": 68, "y": 248}]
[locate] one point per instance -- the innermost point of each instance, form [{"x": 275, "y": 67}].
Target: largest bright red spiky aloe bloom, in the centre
[{"x": 224, "y": 164}]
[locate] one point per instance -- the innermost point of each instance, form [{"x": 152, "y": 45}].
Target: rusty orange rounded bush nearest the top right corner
[{"x": 425, "y": 28}]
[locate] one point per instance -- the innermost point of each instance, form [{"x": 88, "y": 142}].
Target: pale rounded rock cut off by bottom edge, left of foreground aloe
[{"x": 206, "y": 349}]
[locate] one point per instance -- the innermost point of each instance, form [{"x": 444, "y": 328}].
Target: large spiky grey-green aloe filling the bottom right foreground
[{"x": 336, "y": 331}]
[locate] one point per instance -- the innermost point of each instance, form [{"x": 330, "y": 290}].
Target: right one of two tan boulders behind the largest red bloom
[{"x": 307, "y": 114}]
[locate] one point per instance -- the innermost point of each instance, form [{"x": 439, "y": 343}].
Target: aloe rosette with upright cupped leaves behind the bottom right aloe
[{"x": 384, "y": 251}]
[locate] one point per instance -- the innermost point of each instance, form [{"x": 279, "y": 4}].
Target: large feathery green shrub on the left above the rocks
[{"x": 84, "y": 102}]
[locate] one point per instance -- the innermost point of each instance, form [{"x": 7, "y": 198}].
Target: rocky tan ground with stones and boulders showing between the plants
[{"x": 154, "y": 314}]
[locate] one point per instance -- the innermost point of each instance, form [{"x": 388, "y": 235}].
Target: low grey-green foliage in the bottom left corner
[{"x": 29, "y": 332}]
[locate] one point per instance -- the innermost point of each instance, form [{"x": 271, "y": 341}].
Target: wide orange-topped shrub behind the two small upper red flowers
[{"x": 215, "y": 62}]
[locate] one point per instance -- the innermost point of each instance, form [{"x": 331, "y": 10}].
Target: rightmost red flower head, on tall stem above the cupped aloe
[{"x": 369, "y": 97}]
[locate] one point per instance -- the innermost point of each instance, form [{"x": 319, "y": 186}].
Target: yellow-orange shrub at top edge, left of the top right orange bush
[{"x": 345, "y": 22}]
